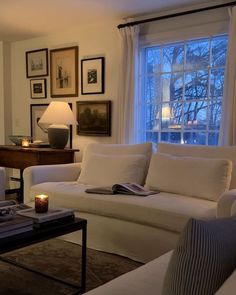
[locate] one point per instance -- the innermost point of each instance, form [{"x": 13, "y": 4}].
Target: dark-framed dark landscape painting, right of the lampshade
[{"x": 94, "y": 118}]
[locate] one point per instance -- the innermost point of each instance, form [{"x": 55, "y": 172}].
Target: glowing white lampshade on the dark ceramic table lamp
[{"x": 58, "y": 112}]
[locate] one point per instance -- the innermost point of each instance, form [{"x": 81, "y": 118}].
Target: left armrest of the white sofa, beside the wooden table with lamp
[{"x": 49, "y": 173}]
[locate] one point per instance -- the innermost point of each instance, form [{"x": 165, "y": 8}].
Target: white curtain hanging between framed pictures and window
[{"x": 128, "y": 84}]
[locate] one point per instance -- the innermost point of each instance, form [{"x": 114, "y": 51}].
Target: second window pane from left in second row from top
[{"x": 172, "y": 87}]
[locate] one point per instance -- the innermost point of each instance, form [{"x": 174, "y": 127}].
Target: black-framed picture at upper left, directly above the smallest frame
[{"x": 37, "y": 63}]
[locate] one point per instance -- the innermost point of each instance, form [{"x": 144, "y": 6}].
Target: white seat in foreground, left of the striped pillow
[{"x": 147, "y": 279}]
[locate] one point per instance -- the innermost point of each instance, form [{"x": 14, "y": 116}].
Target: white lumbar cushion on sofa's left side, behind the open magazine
[{"x": 107, "y": 170}]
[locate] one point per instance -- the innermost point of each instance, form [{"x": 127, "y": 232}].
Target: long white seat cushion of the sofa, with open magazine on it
[{"x": 163, "y": 210}]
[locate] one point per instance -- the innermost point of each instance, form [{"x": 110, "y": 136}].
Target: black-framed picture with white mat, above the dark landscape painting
[{"x": 92, "y": 75}]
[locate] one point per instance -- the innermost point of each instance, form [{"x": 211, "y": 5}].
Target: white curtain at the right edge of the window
[{"x": 228, "y": 121}]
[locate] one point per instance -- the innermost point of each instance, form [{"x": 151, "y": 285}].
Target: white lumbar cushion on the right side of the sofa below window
[{"x": 196, "y": 177}]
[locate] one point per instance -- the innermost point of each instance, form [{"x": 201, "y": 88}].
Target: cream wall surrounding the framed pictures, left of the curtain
[{"x": 102, "y": 40}]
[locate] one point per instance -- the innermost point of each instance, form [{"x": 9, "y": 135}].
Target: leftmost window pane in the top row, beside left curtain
[{"x": 153, "y": 57}]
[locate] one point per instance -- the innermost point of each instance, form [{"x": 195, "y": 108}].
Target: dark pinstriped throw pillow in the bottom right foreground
[{"x": 203, "y": 259}]
